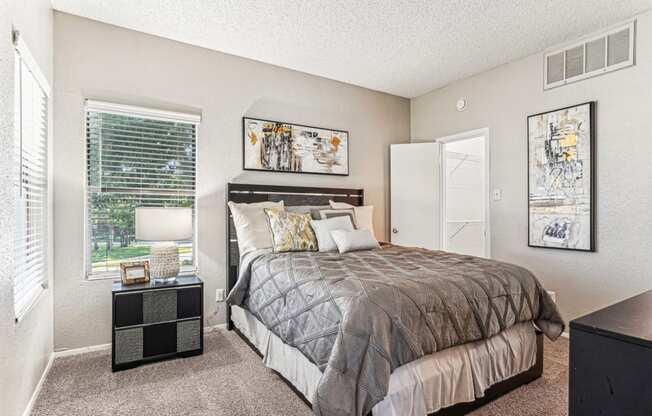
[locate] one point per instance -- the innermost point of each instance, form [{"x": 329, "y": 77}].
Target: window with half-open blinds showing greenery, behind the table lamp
[{"x": 135, "y": 157}]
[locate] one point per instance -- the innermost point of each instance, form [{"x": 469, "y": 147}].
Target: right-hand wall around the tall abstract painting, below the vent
[{"x": 501, "y": 99}]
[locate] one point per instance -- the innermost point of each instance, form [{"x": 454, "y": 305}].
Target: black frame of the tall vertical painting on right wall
[{"x": 592, "y": 180}]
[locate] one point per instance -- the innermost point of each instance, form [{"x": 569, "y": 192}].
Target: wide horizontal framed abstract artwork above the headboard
[{"x": 276, "y": 146}]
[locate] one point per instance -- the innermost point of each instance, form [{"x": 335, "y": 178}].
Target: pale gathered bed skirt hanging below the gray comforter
[{"x": 435, "y": 381}]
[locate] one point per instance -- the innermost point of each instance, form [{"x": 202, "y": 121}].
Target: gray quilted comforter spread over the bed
[{"x": 360, "y": 315}]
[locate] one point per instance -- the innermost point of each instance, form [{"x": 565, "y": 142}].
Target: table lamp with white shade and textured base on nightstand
[{"x": 163, "y": 226}]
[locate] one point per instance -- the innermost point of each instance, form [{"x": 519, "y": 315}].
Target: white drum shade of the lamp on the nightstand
[{"x": 163, "y": 224}]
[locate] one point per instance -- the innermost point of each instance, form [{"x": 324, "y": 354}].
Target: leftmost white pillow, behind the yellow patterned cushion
[{"x": 251, "y": 224}]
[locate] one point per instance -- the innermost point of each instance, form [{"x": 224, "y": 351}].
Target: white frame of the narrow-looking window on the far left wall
[{"x": 23, "y": 56}]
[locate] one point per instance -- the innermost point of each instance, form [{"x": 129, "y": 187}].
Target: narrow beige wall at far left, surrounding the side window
[{"x": 26, "y": 346}]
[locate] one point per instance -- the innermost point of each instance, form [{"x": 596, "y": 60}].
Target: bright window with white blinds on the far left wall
[{"x": 31, "y": 179}]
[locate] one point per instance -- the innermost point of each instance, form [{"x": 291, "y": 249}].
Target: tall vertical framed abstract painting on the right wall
[{"x": 561, "y": 183}]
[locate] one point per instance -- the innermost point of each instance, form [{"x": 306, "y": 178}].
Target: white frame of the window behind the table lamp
[{"x": 145, "y": 112}]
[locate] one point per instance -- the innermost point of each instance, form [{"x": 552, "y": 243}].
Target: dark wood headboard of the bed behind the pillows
[{"x": 291, "y": 196}]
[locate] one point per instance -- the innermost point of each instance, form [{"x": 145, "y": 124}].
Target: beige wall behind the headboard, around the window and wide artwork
[{"x": 95, "y": 60}]
